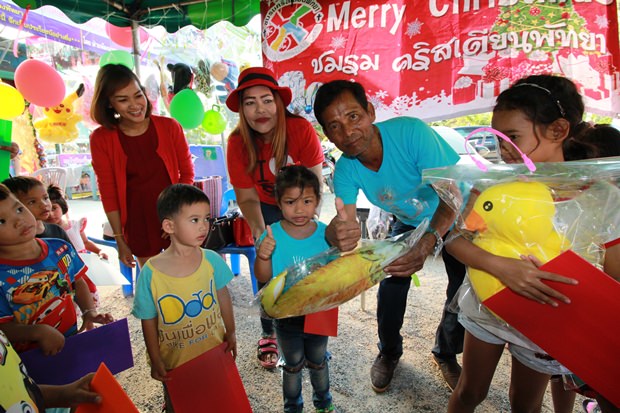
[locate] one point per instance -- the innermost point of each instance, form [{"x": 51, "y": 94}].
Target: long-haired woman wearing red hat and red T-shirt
[{"x": 267, "y": 138}]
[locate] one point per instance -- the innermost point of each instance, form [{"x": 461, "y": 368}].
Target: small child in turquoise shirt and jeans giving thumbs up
[{"x": 291, "y": 240}]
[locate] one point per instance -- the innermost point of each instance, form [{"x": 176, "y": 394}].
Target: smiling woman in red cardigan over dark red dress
[{"x": 135, "y": 156}]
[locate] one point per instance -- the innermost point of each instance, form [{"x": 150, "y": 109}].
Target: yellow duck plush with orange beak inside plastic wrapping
[{"x": 513, "y": 219}]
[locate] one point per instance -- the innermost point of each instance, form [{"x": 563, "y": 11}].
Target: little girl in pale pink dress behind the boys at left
[{"x": 74, "y": 228}]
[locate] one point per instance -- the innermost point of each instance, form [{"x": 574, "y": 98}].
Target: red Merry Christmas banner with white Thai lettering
[{"x": 436, "y": 59}]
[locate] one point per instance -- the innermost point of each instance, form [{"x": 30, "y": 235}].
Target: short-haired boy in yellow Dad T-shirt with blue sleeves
[{"x": 184, "y": 273}]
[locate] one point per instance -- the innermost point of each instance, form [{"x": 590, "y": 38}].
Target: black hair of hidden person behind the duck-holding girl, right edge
[{"x": 597, "y": 141}]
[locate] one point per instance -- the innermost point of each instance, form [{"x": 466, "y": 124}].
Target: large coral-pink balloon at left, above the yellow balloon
[{"x": 39, "y": 83}]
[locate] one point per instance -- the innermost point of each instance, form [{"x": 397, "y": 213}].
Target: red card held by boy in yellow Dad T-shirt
[{"x": 208, "y": 383}]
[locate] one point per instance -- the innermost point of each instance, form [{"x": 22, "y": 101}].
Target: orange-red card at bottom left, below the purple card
[{"x": 113, "y": 397}]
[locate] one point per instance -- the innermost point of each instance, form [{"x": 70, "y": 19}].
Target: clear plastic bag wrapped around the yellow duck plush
[{"x": 512, "y": 212}]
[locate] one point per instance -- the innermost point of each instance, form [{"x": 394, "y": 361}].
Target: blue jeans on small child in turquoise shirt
[{"x": 298, "y": 349}]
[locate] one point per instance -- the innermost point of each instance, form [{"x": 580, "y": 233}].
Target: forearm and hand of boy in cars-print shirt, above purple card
[{"x": 49, "y": 340}]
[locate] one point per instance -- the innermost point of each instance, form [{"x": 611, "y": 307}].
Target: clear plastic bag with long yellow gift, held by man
[{"x": 332, "y": 278}]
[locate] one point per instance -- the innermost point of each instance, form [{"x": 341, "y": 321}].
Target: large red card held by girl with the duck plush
[{"x": 584, "y": 335}]
